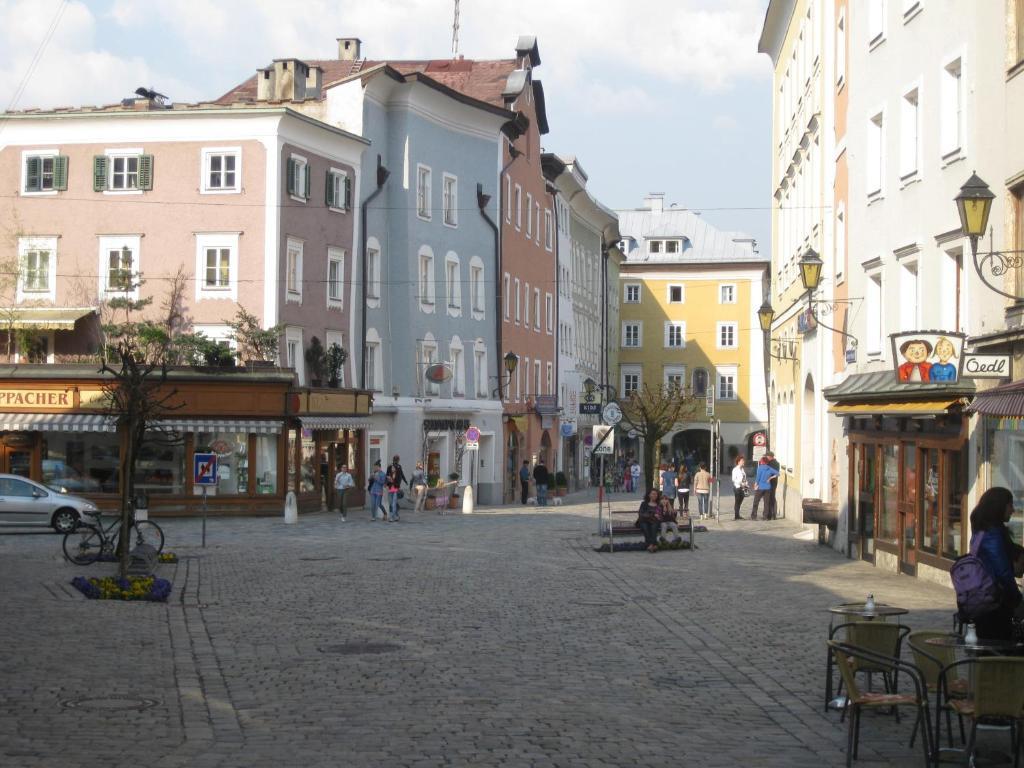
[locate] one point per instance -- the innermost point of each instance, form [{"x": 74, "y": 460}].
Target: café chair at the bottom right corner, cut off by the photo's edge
[{"x": 996, "y": 697}]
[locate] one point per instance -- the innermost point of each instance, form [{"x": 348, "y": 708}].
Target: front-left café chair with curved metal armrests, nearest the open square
[{"x": 848, "y": 659}]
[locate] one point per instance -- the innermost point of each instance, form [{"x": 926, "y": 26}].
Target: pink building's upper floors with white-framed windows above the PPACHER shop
[{"x": 255, "y": 205}]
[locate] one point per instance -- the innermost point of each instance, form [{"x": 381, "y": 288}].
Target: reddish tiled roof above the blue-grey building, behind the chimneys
[{"x": 484, "y": 81}]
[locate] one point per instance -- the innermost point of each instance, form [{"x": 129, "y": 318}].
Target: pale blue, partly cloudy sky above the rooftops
[{"x": 650, "y": 96}]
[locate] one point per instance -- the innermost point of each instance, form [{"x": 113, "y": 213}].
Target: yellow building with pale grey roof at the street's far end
[{"x": 689, "y": 302}]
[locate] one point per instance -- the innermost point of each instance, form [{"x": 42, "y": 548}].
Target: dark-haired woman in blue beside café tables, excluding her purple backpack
[{"x": 992, "y": 543}]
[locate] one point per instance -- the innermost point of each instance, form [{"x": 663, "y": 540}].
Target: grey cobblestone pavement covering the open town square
[{"x": 494, "y": 639}]
